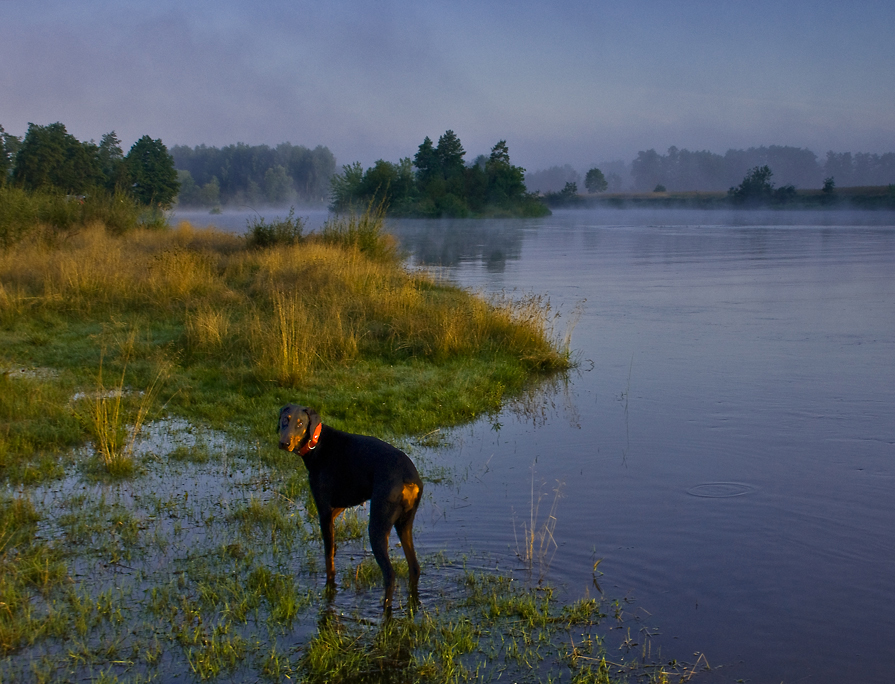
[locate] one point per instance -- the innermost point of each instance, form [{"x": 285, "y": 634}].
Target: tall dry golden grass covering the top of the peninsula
[{"x": 284, "y": 310}]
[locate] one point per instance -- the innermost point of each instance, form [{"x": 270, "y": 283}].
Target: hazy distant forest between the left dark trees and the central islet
[{"x": 253, "y": 175}]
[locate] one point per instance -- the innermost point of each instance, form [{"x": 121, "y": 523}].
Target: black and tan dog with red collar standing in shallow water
[{"x": 345, "y": 470}]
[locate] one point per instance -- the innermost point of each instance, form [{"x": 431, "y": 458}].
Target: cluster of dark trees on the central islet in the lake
[{"x": 439, "y": 182}]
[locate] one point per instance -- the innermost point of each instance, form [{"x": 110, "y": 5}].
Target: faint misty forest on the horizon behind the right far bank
[{"x": 680, "y": 170}]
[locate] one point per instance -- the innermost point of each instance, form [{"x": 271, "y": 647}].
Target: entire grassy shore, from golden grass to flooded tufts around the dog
[{"x": 148, "y": 526}]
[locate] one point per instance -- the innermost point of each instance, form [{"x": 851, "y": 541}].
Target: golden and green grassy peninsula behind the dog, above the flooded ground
[{"x": 231, "y": 331}]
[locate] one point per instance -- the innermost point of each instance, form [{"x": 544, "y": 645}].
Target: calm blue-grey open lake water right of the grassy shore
[{"x": 727, "y": 445}]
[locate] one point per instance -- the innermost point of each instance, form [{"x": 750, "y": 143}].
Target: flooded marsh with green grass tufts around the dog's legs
[{"x": 157, "y": 581}]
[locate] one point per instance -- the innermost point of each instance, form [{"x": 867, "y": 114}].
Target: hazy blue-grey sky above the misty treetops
[{"x": 563, "y": 82}]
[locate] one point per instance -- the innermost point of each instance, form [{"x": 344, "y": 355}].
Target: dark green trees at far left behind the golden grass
[{"x": 50, "y": 159}]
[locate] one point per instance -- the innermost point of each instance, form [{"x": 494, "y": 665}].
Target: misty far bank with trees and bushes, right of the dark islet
[{"x": 700, "y": 178}]
